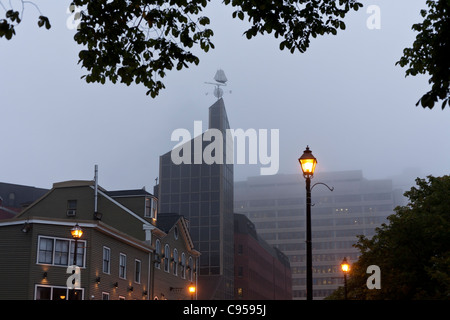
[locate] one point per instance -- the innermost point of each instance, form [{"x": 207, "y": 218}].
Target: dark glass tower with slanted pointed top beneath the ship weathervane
[{"x": 203, "y": 193}]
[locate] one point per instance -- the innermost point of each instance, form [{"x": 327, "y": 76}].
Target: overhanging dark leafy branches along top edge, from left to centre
[{"x": 138, "y": 41}]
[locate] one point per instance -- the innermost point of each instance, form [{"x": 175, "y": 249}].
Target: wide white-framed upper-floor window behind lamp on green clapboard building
[{"x": 55, "y": 251}]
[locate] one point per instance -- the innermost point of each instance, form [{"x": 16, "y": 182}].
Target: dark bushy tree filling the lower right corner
[{"x": 412, "y": 251}]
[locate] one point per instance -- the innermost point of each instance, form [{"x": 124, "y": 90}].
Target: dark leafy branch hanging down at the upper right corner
[{"x": 430, "y": 52}]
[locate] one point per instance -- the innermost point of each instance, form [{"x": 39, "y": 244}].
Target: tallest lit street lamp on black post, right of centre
[{"x": 308, "y": 163}]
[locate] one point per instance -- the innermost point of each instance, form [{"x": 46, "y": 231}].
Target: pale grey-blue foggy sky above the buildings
[{"x": 344, "y": 97}]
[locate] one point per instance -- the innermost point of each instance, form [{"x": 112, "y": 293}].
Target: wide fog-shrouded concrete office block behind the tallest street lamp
[{"x": 276, "y": 204}]
